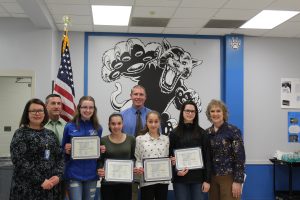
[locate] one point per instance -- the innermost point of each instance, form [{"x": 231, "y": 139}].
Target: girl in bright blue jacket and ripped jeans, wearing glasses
[{"x": 81, "y": 174}]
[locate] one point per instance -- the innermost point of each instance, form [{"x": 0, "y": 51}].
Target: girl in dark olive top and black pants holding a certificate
[{"x": 119, "y": 146}]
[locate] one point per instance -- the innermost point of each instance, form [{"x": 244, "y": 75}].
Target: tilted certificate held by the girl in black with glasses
[{"x": 190, "y": 158}]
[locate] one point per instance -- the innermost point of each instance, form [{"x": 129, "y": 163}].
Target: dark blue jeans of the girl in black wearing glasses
[{"x": 188, "y": 191}]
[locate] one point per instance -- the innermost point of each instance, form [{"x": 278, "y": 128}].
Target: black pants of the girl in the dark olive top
[{"x": 121, "y": 191}]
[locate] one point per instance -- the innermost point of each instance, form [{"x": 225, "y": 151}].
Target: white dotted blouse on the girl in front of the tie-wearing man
[{"x": 149, "y": 147}]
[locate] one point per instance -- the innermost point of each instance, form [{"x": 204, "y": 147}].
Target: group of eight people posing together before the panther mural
[{"x": 44, "y": 169}]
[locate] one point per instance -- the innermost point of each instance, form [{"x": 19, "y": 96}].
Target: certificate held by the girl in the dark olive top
[{"x": 118, "y": 170}]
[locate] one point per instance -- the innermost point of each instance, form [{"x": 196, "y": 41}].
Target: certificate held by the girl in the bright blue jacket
[{"x": 85, "y": 147}]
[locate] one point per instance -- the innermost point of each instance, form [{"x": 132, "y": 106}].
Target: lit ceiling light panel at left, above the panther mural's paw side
[{"x": 111, "y": 15}]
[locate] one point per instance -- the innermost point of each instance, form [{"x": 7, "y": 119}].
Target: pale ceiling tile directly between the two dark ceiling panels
[{"x": 196, "y": 22}]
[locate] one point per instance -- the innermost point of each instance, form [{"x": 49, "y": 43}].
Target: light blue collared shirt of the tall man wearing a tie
[{"x": 129, "y": 119}]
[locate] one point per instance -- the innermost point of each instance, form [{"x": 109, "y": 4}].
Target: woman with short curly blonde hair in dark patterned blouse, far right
[{"x": 228, "y": 154}]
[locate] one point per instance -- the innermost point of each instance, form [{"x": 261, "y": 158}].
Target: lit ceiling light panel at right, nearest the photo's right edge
[{"x": 268, "y": 19}]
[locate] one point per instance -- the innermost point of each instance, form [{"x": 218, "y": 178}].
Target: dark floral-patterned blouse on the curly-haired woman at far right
[{"x": 228, "y": 153}]
